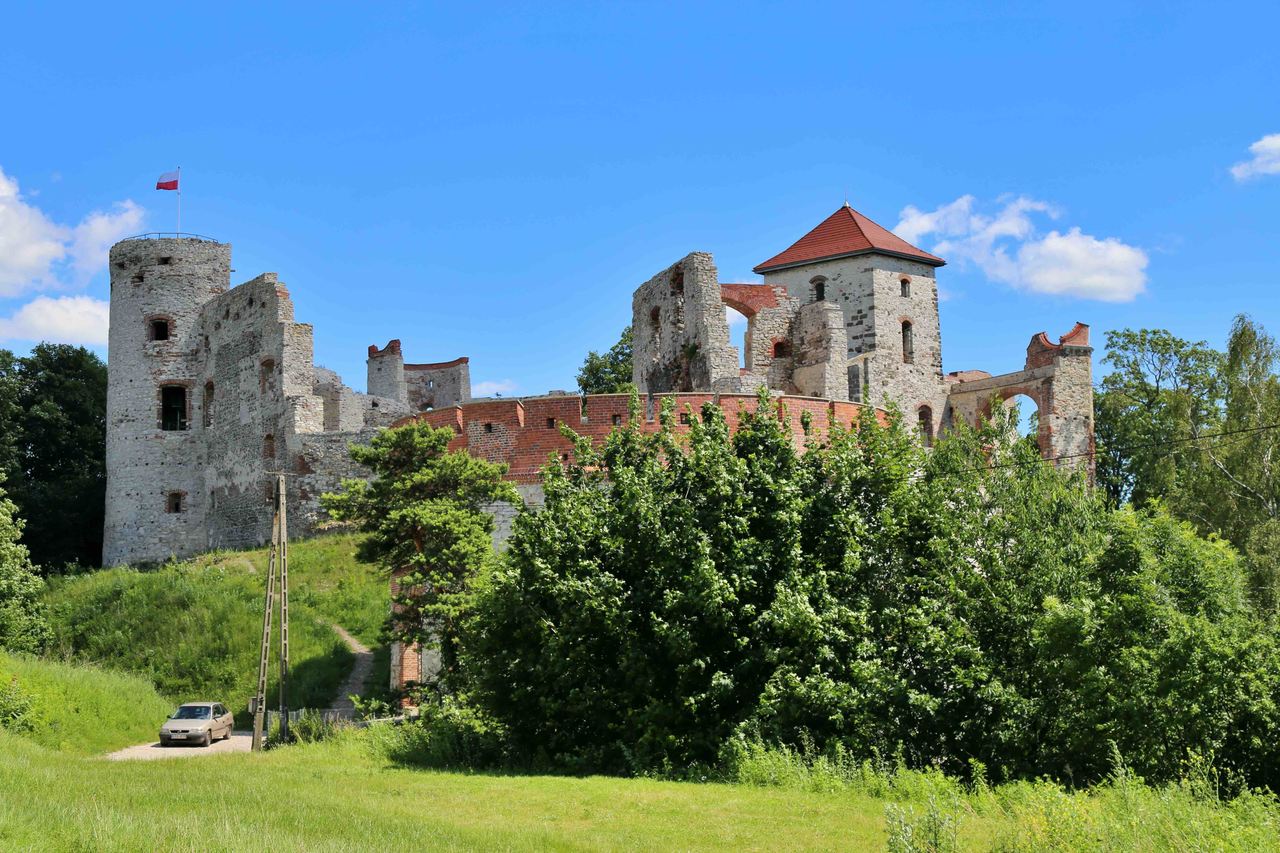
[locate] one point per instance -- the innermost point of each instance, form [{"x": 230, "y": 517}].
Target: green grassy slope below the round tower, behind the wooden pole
[{"x": 193, "y": 630}]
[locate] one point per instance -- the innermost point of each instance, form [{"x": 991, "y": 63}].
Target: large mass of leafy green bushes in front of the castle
[{"x": 967, "y": 605}]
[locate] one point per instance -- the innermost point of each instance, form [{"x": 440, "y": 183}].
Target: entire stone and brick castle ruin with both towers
[{"x": 213, "y": 389}]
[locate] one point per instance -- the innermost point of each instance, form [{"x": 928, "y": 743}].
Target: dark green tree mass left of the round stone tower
[{"x": 53, "y": 421}]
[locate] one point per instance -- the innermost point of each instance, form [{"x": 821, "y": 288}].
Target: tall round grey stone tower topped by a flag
[{"x": 156, "y": 501}]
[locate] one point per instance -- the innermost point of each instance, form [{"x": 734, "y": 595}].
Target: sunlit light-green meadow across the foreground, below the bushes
[{"x": 345, "y": 795}]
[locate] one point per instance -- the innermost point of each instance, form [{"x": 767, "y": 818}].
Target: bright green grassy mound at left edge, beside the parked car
[{"x": 83, "y": 709}]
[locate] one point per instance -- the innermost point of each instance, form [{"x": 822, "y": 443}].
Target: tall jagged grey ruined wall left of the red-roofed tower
[{"x": 680, "y": 332}]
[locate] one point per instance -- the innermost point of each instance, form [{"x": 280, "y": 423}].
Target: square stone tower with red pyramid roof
[{"x": 889, "y": 295}]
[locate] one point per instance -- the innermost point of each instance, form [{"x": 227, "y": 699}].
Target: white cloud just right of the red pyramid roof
[{"x": 1008, "y": 248}]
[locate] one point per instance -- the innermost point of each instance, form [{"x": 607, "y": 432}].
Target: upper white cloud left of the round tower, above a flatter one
[{"x": 36, "y": 253}]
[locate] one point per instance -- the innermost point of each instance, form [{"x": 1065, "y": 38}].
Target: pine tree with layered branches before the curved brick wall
[{"x": 426, "y": 524}]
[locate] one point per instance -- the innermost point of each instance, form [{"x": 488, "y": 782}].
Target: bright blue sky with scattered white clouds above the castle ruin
[{"x": 496, "y": 181}]
